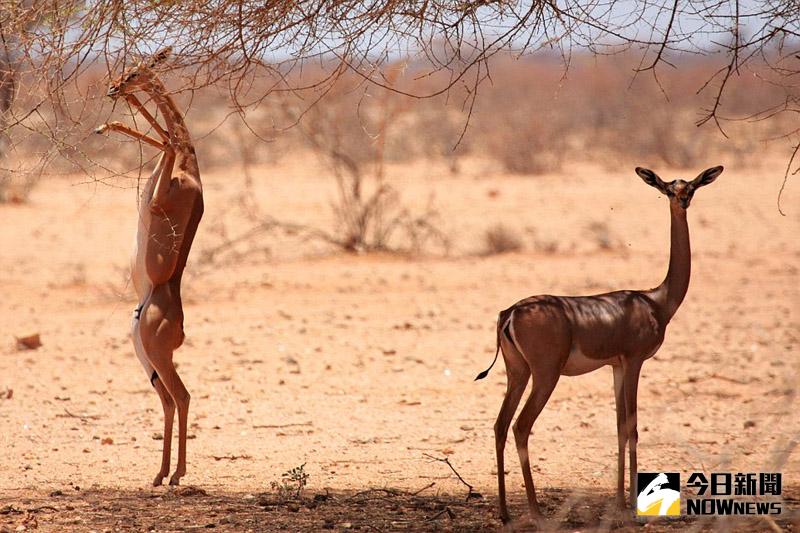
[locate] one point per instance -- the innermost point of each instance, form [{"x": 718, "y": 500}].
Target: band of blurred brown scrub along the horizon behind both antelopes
[{"x": 530, "y": 118}]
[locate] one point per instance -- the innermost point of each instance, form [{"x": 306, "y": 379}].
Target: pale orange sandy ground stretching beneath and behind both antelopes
[{"x": 359, "y": 367}]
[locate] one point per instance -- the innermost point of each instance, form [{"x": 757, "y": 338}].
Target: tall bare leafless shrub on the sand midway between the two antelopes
[{"x": 351, "y": 131}]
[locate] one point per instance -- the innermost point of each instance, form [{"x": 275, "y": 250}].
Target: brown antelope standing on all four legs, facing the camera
[{"x": 545, "y": 337}]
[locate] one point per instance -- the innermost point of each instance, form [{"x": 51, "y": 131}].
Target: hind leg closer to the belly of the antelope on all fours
[{"x": 543, "y": 386}]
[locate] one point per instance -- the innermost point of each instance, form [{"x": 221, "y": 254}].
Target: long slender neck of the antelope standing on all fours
[{"x": 673, "y": 289}]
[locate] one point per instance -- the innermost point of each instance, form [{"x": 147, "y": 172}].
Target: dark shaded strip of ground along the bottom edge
[{"x": 374, "y": 509}]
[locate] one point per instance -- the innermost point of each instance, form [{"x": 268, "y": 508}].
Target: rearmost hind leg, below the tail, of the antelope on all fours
[{"x": 517, "y": 372}]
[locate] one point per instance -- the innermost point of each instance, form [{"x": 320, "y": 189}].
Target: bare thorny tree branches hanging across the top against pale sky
[{"x": 47, "y": 46}]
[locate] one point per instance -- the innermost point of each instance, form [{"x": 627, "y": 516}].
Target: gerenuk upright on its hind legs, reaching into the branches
[{"x": 169, "y": 212}]
